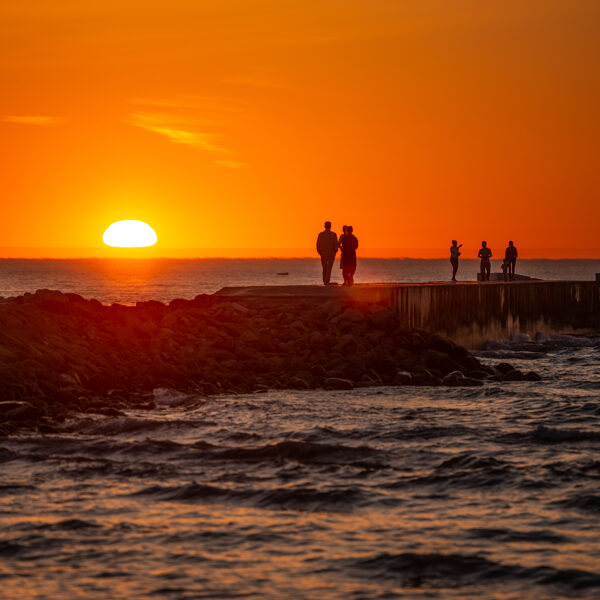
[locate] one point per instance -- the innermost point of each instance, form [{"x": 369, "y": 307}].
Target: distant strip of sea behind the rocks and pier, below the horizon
[{"x": 130, "y": 280}]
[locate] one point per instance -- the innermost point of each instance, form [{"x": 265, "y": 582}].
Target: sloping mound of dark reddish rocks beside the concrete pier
[{"x": 61, "y": 353}]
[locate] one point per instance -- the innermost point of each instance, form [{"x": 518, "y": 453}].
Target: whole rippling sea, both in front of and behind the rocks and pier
[{"x": 450, "y": 493}]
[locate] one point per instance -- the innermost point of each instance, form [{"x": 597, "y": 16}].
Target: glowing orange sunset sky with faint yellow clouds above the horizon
[{"x": 230, "y": 125}]
